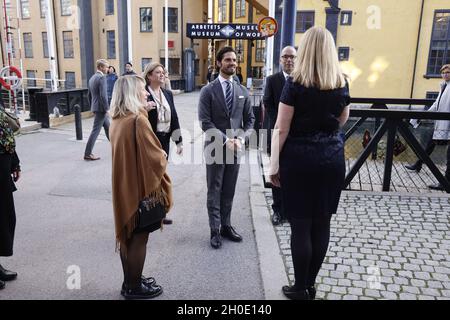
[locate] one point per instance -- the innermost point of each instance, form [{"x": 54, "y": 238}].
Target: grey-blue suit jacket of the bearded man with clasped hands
[{"x": 213, "y": 113}]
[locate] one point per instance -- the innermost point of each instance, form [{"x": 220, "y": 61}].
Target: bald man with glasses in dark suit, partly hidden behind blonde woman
[{"x": 272, "y": 93}]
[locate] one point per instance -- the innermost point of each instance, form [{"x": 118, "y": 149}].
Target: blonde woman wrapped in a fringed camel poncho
[{"x": 138, "y": 170}]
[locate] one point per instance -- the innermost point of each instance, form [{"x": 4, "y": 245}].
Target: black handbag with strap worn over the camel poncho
[{"x": 150, "y": 210}]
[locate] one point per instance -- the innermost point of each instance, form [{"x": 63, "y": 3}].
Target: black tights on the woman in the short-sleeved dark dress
[{"x": 309, "y": 245}]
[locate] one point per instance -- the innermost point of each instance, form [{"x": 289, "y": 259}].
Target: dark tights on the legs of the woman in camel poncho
[{"x": 132, "y": 256}]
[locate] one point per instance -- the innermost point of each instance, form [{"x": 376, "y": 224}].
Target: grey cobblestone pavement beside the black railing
[{"x": 383, "y": 247}]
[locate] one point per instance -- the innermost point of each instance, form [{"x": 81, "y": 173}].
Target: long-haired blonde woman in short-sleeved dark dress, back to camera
[{"x": 308, "y": 154}]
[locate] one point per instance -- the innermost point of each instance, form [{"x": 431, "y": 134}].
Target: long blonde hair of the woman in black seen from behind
[{"x": 317, "y": 62}]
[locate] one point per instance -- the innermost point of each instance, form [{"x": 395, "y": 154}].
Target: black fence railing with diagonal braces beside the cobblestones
[{"x": 382, "y": 130}]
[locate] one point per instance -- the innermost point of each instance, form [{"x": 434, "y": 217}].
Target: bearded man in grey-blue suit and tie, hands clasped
[{"x": 227, "y": 119}]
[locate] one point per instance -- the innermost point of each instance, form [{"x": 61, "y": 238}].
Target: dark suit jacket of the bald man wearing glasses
[{"x": 272, "y": 94}]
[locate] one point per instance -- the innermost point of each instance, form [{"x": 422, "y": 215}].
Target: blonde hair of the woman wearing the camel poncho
[{"x": 126, "y": 96}]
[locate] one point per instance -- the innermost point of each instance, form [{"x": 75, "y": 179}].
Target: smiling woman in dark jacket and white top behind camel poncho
[{"x": 163, "y": 118}]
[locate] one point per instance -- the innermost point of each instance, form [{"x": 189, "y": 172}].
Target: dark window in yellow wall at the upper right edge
[{"x": 440, "y": 43}]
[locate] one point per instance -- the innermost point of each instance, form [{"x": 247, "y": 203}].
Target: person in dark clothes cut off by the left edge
[{"x": 9, "y": 173}]
